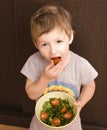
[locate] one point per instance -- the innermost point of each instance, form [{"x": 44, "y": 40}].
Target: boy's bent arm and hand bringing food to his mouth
[{"x": 36, "y": 89}]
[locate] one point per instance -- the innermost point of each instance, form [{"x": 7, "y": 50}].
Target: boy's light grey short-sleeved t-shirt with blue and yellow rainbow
[{"x": 77, "y": 73}]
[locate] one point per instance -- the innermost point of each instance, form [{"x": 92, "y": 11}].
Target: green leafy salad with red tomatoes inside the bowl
[{"x": 56, "y": 112}]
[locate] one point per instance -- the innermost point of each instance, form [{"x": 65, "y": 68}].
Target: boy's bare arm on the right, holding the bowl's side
[{"x": 86, "y": 94}]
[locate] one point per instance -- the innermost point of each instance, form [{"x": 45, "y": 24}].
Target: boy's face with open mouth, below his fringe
[{"x": 54, "y": 44}]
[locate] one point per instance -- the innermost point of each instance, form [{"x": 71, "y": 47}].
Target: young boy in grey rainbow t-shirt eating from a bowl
[{"x": 52, "y": 34}]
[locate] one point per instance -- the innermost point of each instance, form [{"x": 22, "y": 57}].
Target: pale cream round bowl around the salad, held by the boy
[{"x": 61, "y": 95}]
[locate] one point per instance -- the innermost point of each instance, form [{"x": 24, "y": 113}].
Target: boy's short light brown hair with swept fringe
[{"x": 46, "y": 18}]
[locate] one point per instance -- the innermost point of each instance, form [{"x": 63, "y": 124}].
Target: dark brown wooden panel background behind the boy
[{"x": 90, "y": 25}]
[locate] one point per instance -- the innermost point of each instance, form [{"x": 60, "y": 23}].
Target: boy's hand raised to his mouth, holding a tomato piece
[{"x": 53, "y": 71}]
